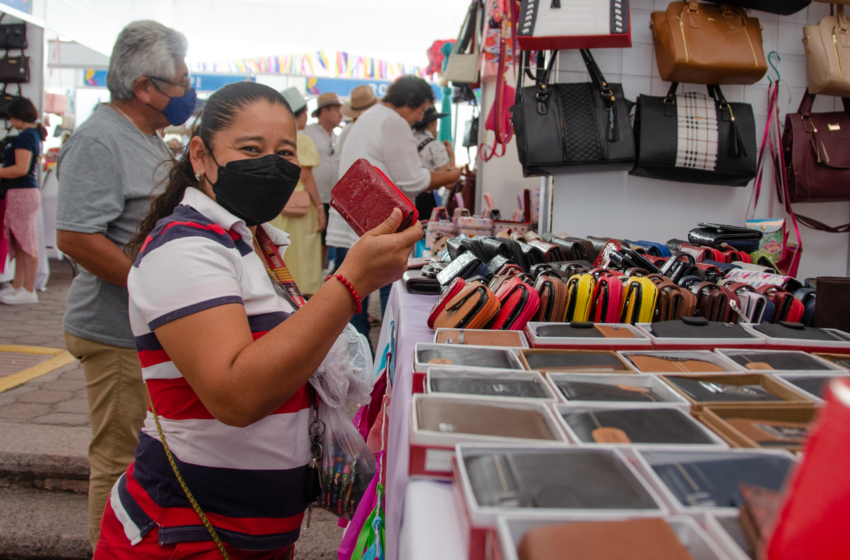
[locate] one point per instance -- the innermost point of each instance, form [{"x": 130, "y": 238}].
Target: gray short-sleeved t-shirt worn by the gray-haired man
[{"x": 109, "y": 172}]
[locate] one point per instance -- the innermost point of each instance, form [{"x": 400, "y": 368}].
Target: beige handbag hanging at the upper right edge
[{"x": 827, "y": 54}]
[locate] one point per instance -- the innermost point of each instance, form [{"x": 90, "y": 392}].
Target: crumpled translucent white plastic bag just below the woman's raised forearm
[{"x": 346, "y": 372}]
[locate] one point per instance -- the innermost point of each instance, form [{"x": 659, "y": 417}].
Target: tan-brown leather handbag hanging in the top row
[{"x": 708, "y": 44}]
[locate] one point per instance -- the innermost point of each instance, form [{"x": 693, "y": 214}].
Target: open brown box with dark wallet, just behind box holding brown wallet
[{"x": 750, "y": 389}]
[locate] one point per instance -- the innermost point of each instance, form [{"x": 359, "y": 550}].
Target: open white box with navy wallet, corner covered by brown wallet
[{"x": 696, "y": 482}]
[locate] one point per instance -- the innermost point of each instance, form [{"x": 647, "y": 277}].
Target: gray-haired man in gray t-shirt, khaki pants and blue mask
[{"x": 109, "y": 171}]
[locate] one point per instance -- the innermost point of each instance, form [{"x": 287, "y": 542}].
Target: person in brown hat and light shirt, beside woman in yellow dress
[{"x": 323, "y": 136}]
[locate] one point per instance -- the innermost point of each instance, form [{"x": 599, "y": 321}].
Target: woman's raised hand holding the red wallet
[{"x": 380, "y": 256}]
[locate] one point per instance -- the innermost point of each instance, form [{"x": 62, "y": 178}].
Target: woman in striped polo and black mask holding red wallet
[{"x": 225, "y": 356}]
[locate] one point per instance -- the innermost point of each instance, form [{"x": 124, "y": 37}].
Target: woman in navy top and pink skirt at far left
[{"x": 17, "y": 179}]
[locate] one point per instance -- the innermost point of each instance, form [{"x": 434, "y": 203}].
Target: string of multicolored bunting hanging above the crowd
[{"x": 331, "y": 64}]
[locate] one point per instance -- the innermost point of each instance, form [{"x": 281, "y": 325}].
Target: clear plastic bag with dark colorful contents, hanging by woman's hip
[{"x": 348, "y": 466}]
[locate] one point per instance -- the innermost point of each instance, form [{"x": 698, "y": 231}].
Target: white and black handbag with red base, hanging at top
[{"x": 574, "y": 24}]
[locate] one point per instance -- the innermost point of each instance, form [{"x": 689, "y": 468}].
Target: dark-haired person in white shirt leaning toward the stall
[{"x": 384, "y": 138}]
